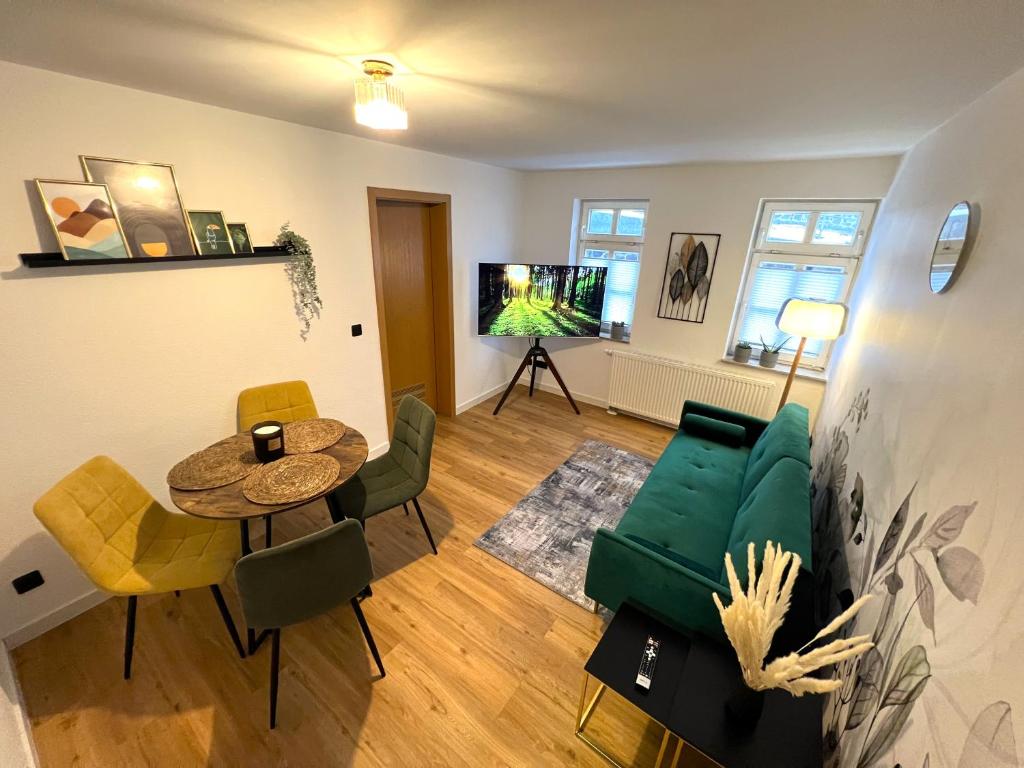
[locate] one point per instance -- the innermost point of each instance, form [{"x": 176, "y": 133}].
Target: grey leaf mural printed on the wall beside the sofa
[{"x": 914, "y": 562}]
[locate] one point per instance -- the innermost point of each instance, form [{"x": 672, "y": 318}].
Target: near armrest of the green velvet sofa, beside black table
[{"x": 622, "y": 571}]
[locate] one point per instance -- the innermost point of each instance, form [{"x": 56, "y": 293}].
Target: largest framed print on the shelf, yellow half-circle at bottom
[{"x": 147, "y": 203}]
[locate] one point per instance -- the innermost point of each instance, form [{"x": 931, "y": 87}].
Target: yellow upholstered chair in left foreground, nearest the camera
[{"x": 129, "y": 544}]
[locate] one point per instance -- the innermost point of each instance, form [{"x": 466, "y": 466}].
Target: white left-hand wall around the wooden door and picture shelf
[{"x": 145, "y": 364}]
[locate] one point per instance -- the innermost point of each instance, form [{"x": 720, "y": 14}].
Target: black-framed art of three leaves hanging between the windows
[{"x": 689, "y": 271}]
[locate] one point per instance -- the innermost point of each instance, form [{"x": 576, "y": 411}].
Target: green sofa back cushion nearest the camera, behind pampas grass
[{"x": 778, "y": 509}]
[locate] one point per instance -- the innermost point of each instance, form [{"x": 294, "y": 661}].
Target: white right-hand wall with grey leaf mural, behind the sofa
[{"x": 922, "y": 429}]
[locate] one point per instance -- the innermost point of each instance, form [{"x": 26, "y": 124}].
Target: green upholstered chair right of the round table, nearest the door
[{"x": 399, "y": 477}]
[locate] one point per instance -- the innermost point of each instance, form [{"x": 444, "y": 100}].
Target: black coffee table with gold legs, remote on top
[{"x": 694, "y": 678}]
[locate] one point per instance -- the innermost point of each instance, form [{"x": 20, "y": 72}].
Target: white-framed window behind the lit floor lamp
[{"x": 803, "y": 249}]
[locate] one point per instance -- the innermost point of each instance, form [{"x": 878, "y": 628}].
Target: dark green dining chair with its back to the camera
[{"x": 303, "y": 579}]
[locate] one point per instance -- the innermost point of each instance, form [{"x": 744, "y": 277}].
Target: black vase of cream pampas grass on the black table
[{"x": 754, "y": 617}]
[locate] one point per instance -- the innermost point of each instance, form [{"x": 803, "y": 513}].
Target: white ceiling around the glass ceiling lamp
[{"x": 563, "y": 83}]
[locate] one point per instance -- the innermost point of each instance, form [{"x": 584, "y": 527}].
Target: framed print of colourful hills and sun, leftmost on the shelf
[{"x": 83, "y": 220}]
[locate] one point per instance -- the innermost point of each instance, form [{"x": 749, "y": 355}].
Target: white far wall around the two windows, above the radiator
[{"x": 714, "y": 198}]
